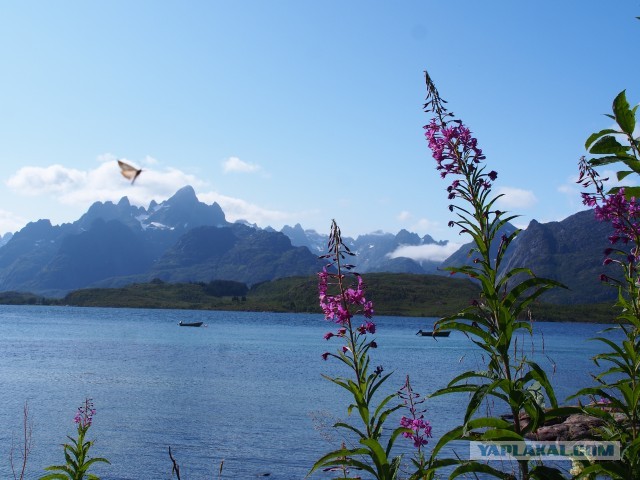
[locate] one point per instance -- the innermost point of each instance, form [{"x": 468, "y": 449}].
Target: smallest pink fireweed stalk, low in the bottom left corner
[{"x": 76, "y": 452}]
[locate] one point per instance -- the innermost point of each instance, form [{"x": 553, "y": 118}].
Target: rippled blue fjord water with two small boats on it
[{"x": 247, "y": 389}]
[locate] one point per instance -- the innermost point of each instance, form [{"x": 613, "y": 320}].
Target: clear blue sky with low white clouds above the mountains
[{"x": 290, "y": 112}]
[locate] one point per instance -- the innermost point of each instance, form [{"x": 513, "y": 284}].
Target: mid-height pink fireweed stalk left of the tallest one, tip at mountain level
[{"x": 342, "y": 299}]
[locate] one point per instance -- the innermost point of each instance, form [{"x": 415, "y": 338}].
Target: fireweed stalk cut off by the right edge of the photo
[{"x": 619, "y": 384}]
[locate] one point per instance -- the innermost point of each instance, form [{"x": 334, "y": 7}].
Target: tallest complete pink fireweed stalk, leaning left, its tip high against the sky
[{"x": 512, "y": 381}]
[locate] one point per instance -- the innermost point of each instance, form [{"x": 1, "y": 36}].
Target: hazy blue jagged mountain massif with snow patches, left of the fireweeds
[{"x": 180, "y": 239}]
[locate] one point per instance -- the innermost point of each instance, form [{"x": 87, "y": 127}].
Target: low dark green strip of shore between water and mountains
[{"x": 408, "y": 295}]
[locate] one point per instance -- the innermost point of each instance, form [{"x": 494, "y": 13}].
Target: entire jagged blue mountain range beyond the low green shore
[{"x": 184, "y": 240}]
